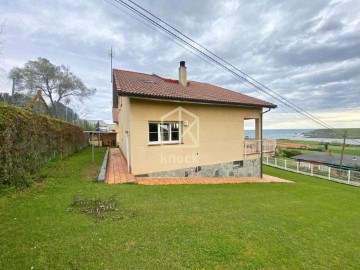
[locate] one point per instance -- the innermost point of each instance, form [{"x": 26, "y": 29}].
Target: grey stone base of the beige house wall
[{"x": 243, "y": 168}]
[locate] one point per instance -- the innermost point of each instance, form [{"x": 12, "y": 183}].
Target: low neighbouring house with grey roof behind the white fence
[{"x": 329, "y": 159}]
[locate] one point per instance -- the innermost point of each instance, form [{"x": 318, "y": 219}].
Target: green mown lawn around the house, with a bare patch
[{"x": 311, "y": 224}]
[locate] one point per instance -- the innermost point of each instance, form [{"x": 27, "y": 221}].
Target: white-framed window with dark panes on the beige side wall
[{"x": 164, "y": 132}]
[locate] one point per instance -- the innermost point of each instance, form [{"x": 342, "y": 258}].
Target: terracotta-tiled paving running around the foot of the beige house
[{"x": 117, "y": 174}]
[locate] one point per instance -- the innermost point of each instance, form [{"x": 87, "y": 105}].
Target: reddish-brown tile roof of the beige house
[{"x": 135, "y": 84}]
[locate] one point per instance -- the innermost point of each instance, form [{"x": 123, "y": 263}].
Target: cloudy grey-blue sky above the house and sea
[{"x": 306, "y": 51}]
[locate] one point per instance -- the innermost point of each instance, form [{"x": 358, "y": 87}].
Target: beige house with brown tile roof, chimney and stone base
[{"x": 181, "y": 128}]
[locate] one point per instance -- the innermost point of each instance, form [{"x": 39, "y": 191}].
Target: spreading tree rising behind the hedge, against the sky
[{"x": 57, "y": 83}]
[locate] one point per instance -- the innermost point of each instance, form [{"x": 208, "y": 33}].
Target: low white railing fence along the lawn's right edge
[{"x": 349, "y": 177}]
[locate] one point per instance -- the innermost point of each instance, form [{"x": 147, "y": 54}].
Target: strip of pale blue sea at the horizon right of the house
[{"x": 295, "y": 134}]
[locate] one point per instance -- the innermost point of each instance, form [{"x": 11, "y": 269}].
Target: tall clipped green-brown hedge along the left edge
[{"x": 29, "y": 140}]
